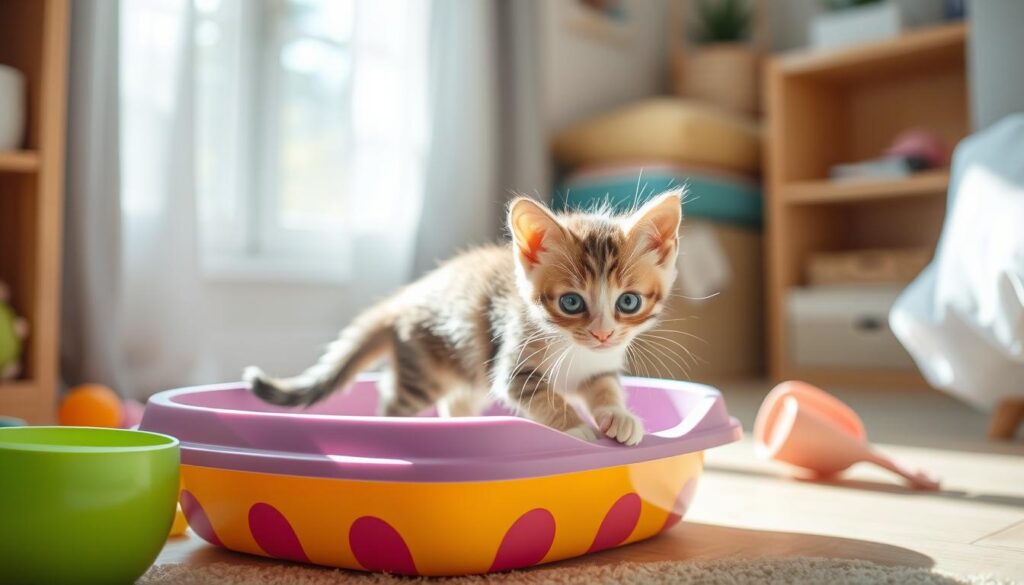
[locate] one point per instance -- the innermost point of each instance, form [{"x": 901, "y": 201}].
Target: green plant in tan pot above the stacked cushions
[{"x": 721, "y": 65}]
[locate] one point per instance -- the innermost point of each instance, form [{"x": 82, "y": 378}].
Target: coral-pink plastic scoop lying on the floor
[{"x": 805, "y": 427}]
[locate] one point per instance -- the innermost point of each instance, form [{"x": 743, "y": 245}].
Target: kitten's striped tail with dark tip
[{"x": 358, "y": 348}]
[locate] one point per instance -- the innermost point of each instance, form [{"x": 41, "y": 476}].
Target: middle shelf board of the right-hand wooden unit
[{"x": 925, "y": 184}]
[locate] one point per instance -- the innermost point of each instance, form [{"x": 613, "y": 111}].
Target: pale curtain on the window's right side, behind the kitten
[{"x": 488, "y": 137}]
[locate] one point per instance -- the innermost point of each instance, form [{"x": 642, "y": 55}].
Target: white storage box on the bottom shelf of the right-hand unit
[{"x": 844, "y": 327}]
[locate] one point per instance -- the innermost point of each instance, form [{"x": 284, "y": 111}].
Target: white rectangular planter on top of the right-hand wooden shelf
[{"x": 852, "y": 22}]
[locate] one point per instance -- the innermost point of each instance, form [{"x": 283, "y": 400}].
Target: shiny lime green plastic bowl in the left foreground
[{"x": 84, "y": 506}]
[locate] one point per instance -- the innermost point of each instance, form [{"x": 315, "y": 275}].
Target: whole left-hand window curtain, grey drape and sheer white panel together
[{"x": 133, "y": 291}]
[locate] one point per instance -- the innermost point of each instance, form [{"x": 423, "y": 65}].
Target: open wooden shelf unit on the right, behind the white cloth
[{"x": 834, "y": 107}]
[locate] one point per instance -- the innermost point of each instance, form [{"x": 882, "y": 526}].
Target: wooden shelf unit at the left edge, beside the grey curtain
[{"x": 34, "y": 40}]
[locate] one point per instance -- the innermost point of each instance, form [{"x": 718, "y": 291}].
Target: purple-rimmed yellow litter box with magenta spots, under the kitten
[{"x": 334, "y": 485}]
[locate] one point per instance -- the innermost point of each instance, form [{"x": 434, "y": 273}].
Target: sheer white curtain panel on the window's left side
[{"x": 162, "y": 307}]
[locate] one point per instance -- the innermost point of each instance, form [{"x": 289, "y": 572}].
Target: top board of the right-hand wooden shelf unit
[{"x": 940, "y": 47}]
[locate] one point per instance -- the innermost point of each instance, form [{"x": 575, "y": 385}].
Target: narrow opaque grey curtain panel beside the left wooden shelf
[{"x": 93, "y": 226}]
